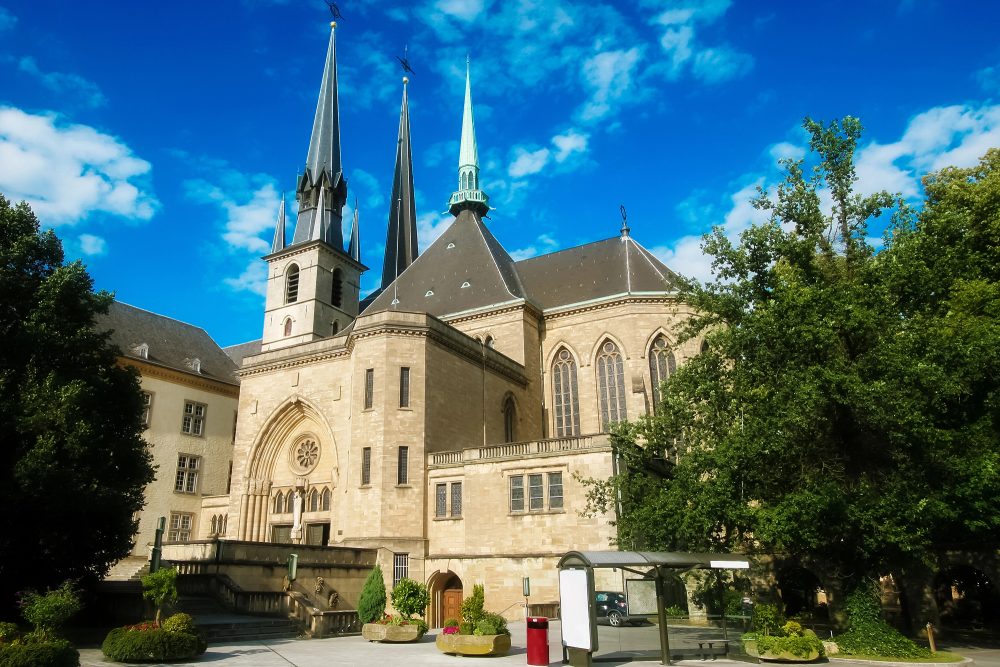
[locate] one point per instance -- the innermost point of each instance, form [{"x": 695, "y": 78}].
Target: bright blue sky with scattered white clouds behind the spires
[{"x": 157, "y": 137}]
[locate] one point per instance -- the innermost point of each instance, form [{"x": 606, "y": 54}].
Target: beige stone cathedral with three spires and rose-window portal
[{"x": 446, "y": 419}]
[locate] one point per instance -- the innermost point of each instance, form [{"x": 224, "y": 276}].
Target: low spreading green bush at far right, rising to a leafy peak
[{"x": 868, "y": 633}]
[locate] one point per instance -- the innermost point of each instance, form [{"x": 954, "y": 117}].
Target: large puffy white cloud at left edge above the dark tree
[{"x": 70, "y": 172}]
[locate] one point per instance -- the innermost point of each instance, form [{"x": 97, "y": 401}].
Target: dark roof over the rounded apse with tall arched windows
[{"x": 617, "y": 265}]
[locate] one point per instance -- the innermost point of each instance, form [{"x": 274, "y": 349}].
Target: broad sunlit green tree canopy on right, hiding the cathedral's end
[{"x": 846, "y": 407}]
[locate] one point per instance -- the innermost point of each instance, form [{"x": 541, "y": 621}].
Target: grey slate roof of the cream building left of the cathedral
[{"x": 172, "y": 343}]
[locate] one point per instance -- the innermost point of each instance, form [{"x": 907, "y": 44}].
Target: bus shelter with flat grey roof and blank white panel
[{"x": 577, "y": 592}]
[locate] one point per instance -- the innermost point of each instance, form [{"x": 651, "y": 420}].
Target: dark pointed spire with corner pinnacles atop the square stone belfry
[{"x": 323, "y": 171}]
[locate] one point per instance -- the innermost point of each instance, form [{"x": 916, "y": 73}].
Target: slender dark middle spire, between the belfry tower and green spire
[{"x": 401, "y": 236}]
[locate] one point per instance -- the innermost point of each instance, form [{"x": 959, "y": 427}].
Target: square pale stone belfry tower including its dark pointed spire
[{"x": 313, "y": 284}]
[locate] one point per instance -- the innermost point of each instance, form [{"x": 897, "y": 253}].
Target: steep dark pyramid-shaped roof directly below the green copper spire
[{"x": 464, "y": 269}]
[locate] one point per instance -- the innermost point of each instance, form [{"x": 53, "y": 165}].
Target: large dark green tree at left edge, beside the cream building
[{"x": 72, "y": 458}]
